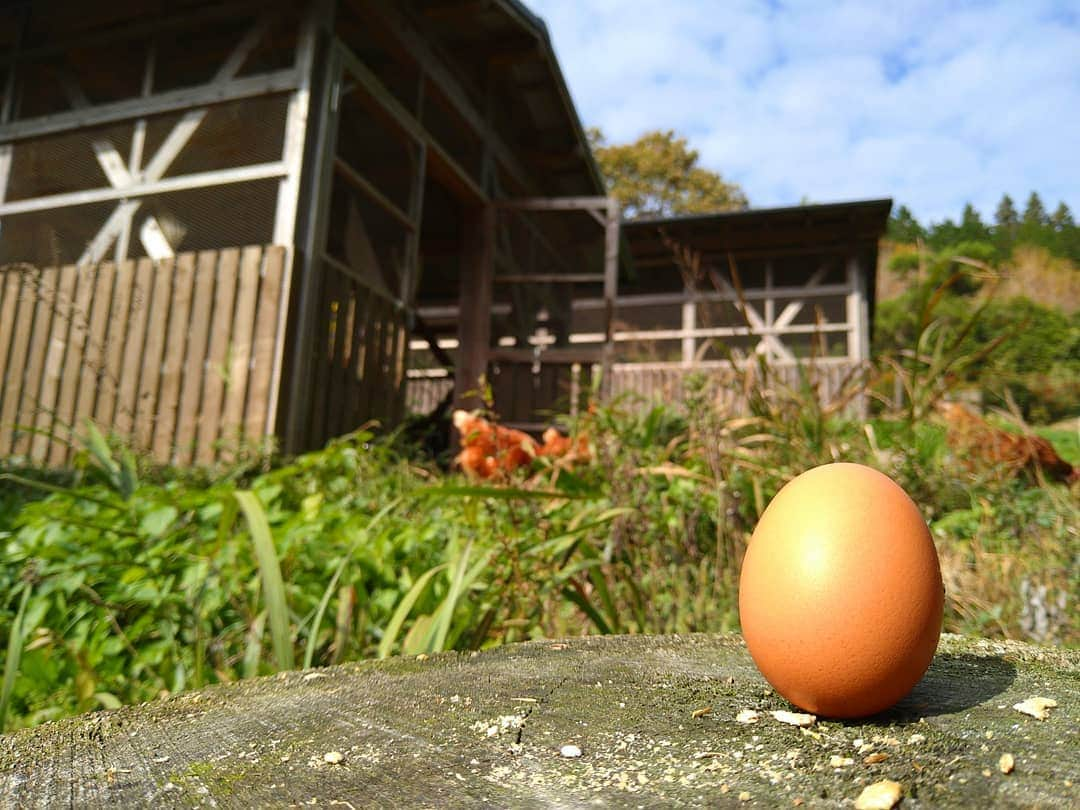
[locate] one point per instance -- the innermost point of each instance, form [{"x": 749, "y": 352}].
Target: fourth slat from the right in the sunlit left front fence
[{"x": 195, "y": 367}]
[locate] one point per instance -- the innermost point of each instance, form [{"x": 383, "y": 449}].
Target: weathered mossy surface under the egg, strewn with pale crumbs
[{"x": 654, "y": 718}]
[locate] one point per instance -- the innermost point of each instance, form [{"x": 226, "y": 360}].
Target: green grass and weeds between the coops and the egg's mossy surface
[{"x": 120, "y": 583}]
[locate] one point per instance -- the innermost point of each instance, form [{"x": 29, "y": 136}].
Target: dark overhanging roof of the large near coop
[{"x": 498, "y": 51}]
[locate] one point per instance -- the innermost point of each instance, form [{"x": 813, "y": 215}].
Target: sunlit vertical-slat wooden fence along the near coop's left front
[{"x": 180, "y": 358}]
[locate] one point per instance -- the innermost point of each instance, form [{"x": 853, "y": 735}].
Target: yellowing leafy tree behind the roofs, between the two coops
[{"x": 659, "y": 175}]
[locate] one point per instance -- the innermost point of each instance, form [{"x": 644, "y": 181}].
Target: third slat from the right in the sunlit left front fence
[{"x": 210, "y": 423}]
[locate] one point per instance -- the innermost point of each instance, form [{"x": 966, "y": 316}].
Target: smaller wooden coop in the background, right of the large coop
[{"x": 707, "y": 294}]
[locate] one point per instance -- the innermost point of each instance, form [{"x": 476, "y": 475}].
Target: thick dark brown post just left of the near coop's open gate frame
[{"x": 475, "y": 325}]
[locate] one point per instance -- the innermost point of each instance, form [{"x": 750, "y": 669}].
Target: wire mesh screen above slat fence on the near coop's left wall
[{"x": 231, "y": 136}]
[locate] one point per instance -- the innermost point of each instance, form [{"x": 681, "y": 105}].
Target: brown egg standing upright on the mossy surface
[{"x": 841, "y": 596}]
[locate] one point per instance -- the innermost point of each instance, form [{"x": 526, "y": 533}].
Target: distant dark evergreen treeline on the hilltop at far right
[{"x": 1058, "y": 233}]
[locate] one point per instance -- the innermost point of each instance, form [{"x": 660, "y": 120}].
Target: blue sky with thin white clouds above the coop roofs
[{"x": 934, "y": 104}]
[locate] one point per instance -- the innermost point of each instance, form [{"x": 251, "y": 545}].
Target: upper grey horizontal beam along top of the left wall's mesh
[{"x": 205, "y": 96}]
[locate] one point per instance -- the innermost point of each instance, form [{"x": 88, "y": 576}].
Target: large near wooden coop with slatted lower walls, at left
[{"x": 228, "y": 221}]
